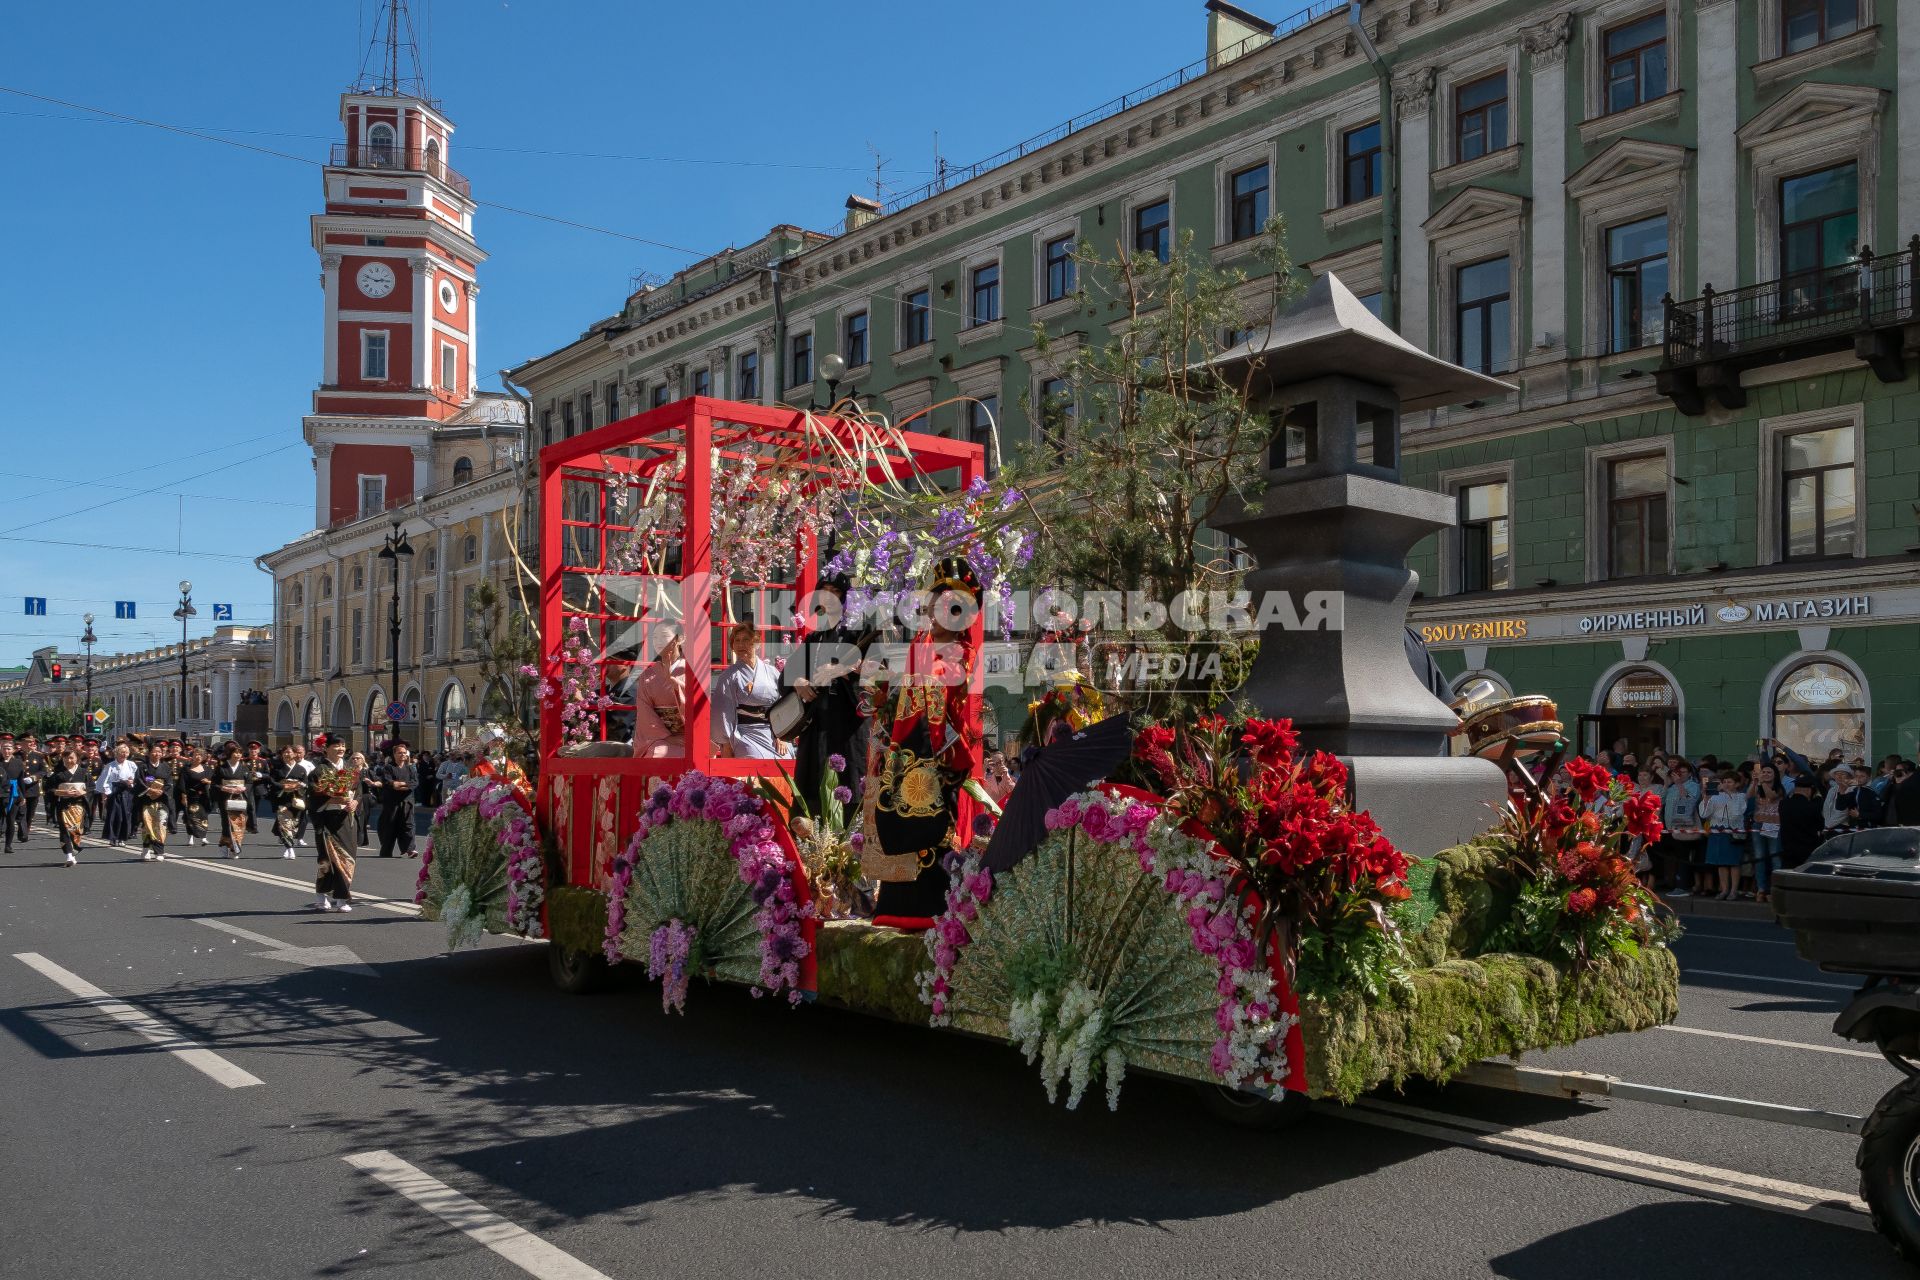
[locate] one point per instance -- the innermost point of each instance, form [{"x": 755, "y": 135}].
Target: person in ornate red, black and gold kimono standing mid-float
[{"x": 923, "y": 790}]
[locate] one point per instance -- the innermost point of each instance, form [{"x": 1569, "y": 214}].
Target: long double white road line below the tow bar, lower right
[{"x": 1710, "y": 1181}]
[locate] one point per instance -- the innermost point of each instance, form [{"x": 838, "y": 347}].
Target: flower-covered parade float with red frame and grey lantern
[{"x": 1343, "y": 886}]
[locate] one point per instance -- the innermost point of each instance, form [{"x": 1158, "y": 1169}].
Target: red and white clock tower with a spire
[{"x": 398, "y": 285}]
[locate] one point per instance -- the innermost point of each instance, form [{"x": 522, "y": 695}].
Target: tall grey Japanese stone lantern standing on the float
[{"x": 1337, "y": 525}]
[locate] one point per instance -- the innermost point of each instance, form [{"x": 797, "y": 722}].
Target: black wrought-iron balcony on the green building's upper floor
[{"x": 1863, "y": 304}]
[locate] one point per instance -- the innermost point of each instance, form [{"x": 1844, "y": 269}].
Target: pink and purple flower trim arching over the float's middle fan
[{"x": 744, "y": 822}]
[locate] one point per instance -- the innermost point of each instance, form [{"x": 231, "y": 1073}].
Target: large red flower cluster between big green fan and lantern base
[{"x": 1320, "y": 874}]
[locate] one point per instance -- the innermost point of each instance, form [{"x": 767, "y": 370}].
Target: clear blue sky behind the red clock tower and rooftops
[{"x": 160, "y": 308}]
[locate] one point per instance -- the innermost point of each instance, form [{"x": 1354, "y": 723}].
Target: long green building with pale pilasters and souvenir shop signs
[{"x": 1692, "y": 523}]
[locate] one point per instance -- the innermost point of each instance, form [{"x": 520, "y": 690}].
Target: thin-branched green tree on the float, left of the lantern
[{"x": 1149, "y": 444}]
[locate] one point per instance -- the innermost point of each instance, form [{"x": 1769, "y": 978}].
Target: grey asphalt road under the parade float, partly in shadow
[{"x": 199, "y": 1120}]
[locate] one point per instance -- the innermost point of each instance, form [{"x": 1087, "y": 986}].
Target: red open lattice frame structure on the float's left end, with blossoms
[{"x": 588, "y": 577}]
